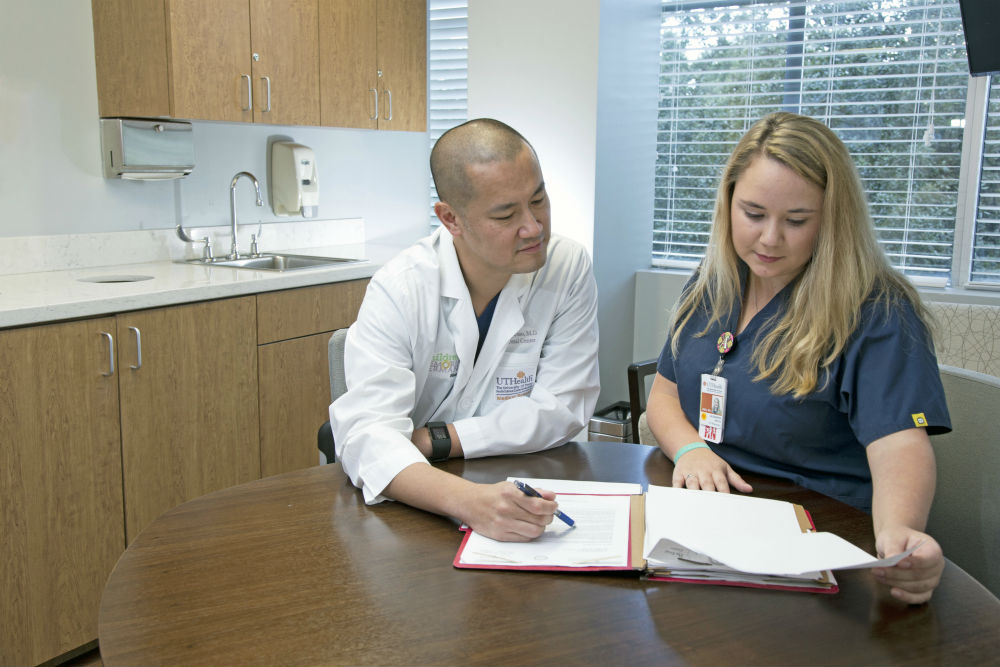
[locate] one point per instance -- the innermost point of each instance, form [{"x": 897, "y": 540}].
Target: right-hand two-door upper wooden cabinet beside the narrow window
[{"x": 373, "y": 64}]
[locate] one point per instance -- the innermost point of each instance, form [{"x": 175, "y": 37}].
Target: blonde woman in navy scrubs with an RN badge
[{"x": 797, "y": 351}]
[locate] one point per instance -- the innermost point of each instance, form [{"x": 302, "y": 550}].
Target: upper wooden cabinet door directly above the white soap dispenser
[{"x": 284, "y": 36}]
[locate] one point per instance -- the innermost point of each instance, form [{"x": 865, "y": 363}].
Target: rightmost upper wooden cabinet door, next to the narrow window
[{"x": 402, "y": 65}]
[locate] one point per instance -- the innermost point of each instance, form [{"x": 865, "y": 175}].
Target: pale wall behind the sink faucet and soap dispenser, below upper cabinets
[{"x": 50, "y": 163}]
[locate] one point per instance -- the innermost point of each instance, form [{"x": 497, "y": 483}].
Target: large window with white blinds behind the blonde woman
[{"x": 890, "y": 77}]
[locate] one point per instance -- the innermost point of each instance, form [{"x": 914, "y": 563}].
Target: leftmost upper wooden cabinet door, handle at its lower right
[{"x": 209, "y": 47}]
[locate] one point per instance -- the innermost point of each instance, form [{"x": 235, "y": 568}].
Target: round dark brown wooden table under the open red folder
[{"x": 295, "y": 569}]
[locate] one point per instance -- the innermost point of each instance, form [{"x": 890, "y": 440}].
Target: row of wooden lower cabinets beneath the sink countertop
[{"x": 108, "y": 422}]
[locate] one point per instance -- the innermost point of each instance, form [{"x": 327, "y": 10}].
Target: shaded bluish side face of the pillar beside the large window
[{"x": 626, "y": 159}]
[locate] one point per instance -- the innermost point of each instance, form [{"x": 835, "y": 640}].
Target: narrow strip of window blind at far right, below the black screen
[{"x": 986, "y": 239}]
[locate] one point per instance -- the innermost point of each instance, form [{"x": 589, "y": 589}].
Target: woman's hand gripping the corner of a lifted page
[{"x": 914, "y": 578}]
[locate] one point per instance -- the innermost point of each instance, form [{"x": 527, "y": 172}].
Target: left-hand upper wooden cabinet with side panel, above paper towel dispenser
[{"x": 225, "y": 60}]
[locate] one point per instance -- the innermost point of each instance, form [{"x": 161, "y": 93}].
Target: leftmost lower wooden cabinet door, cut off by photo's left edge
[{"x": 60, "y": 486}]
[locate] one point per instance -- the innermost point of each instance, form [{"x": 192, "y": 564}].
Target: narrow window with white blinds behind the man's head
[{"x": 447, "y": 72}]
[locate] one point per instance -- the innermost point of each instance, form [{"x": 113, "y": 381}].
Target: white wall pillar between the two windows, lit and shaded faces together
[{"x": 578, "y": 78}]
